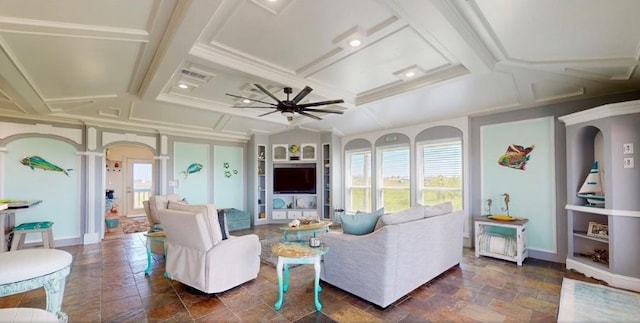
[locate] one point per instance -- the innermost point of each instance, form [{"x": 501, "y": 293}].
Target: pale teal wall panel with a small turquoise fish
[{"x": 194, "y": 187}]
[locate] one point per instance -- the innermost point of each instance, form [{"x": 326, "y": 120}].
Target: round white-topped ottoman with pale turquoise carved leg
[{"x": 28, "y": 269}]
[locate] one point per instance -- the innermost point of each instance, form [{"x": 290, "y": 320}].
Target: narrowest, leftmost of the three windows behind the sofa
[{"x": 358, "y": 186}]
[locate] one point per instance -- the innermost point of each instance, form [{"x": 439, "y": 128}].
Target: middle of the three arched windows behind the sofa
[{"x": 394, "y": 180}]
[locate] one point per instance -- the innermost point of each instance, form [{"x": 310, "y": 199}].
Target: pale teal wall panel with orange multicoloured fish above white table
[{"x": 532, "y": 191}]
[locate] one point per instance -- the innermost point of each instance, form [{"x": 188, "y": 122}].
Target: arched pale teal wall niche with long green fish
[{"x": 59, "y": 193}]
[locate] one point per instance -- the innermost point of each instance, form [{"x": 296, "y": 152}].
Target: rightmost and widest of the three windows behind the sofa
[{"x": 440, "y": 179}]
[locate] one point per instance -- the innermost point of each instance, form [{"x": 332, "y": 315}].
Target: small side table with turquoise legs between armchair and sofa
[{"x": 297, "y": 253}]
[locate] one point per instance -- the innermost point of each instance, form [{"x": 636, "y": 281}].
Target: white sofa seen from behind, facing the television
[{"x": 405, "y": 251}]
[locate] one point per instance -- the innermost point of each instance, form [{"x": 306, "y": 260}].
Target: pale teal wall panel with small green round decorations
[{"x": 228, "y": 189}]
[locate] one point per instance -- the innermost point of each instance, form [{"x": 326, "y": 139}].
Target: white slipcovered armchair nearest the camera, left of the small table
[{"x": 198, "y": 254}]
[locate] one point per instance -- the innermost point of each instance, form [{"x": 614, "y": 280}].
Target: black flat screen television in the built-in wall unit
[{"x": 294, "y": 180}]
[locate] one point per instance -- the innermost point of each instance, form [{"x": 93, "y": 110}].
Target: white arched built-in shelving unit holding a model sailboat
[{"x": 601, "y": 134}]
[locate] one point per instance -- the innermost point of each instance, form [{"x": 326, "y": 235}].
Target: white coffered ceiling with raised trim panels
[{"x": 120, "y": 63}]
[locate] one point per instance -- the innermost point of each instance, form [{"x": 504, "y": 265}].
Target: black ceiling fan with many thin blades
[{"x": 289, "y": 107}]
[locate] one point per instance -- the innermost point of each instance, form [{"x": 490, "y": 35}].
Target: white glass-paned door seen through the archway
[{"x": 139, "y": 184}]
